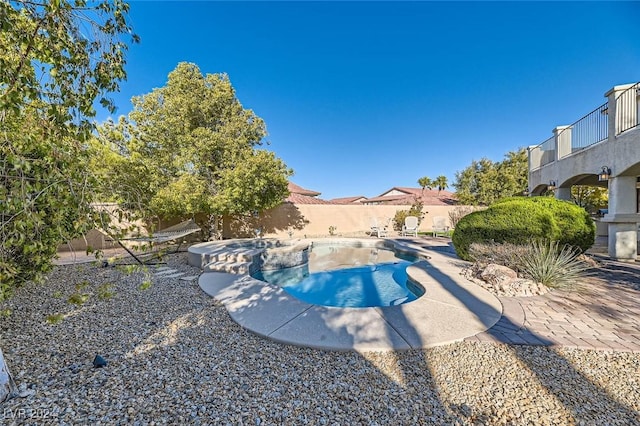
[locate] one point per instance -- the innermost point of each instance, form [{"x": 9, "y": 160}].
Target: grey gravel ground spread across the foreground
[{"x": 175, "y": 357}]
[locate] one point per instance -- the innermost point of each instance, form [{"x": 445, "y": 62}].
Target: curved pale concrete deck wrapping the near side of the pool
[{"x": 452, "y": 309}]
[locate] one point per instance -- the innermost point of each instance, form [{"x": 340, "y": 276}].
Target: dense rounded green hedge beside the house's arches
[{"x": 522, "y": 220}]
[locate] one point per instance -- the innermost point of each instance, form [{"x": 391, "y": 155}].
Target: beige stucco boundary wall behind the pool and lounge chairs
[{"x": 315, "y": 220}]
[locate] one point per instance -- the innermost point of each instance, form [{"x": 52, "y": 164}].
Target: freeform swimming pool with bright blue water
[{"x": 344, "y": 276}]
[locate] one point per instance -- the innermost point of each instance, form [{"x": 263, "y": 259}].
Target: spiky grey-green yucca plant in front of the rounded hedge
[{"x": 554, "y": 266}]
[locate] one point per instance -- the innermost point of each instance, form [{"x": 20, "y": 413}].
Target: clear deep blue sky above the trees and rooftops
[{"x": 359, "y": 97}]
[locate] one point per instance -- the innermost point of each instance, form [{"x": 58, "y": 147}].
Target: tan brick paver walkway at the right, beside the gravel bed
[{"x": 604, "y": 314}]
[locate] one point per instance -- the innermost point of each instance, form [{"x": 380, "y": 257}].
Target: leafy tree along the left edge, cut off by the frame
[{"x": 57, "y": 59}]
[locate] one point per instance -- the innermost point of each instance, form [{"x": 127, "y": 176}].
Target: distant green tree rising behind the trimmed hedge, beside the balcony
[{"x": 485, "y": 181}]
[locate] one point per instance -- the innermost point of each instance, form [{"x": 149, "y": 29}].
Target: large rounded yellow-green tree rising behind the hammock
[{"x": 190, "y": 147}]
